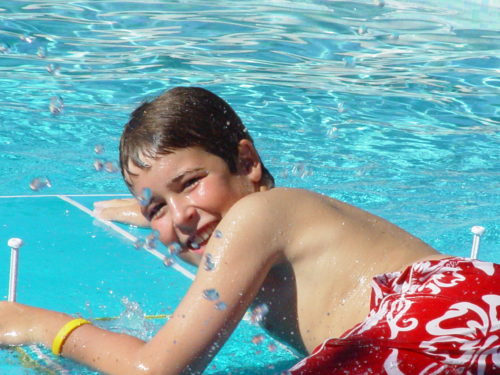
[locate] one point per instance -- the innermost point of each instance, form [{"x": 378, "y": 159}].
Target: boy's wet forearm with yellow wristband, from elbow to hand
[{"x": 109, "y": 352}]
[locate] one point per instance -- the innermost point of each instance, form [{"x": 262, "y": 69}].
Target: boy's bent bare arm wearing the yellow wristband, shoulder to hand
[{"x": 211, "y": 309}]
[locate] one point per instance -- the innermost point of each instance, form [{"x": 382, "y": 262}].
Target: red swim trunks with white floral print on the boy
[{"x": 436, "y": 317}]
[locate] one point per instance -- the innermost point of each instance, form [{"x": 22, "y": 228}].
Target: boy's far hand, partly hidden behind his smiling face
[{"x": 125, "y": 210}]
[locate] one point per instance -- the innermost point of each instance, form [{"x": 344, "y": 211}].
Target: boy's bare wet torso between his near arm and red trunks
[{"x": 331, "y": 252}]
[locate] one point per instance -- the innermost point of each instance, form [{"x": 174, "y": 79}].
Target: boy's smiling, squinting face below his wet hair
[{"x": 191, "y": 190}]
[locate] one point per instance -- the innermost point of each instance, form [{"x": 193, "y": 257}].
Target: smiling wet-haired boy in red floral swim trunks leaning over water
[{"x": 308, "y": 257}]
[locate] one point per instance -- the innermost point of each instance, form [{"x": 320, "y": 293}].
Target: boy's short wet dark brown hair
[{"x": 180, "y": 118}]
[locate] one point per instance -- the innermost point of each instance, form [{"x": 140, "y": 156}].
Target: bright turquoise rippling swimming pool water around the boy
[{"x": 392, "y": 106}]
